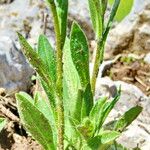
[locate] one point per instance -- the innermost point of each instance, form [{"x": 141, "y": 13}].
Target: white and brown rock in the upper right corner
[{"x": 133, "y": 33}]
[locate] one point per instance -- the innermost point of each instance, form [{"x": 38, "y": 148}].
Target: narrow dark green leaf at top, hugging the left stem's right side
[{"x": 62, "y": 10}]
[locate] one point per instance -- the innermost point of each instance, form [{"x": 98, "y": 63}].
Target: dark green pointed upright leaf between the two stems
[{"x": 80, "y": 53}]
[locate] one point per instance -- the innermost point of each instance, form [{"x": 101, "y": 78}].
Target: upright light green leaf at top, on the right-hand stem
[{"x": 96, "y": 16}]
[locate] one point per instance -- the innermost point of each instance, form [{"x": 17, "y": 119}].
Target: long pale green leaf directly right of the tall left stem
[{"x": 72, "y": 92}]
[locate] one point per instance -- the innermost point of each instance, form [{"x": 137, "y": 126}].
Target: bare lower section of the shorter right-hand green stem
[{"x": 97, "y": 62}]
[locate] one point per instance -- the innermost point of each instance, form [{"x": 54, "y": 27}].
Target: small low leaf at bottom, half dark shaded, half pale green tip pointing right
[{"x": 105, "y": 138}]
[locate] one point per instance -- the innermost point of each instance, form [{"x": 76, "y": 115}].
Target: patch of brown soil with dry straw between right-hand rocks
[{"x": 131, "y": 70}]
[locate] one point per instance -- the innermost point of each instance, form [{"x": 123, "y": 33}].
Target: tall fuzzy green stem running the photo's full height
[{"x": 59, "y": 56}]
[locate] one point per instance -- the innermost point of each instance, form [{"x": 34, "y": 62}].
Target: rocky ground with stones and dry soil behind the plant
[{"x": 127, "y": 64}]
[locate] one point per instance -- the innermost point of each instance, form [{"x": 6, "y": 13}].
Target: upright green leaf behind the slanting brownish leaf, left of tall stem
[{"x": 47, "y": 54}]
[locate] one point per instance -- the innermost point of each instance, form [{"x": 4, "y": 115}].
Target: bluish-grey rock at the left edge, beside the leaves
[{"x": 15, "y": 72}]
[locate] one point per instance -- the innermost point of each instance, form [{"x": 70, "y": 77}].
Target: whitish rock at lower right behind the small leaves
[{"x": 137, "y": 134}]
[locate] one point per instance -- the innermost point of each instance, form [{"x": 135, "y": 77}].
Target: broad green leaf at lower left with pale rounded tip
[{"x": 35, "y": 121}]
